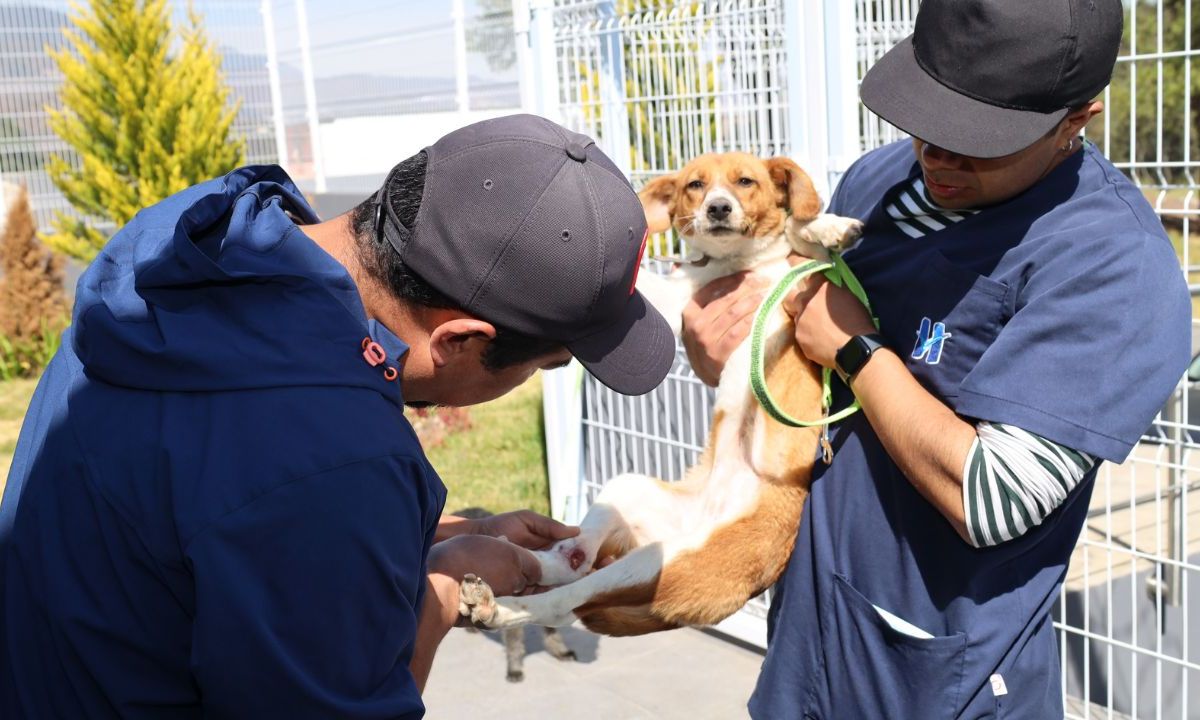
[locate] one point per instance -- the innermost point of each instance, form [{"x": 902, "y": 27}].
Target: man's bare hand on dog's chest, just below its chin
[{"x": 717, "y": 321}]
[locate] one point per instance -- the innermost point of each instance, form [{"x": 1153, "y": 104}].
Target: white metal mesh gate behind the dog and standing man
[{"x": 658, "y": 82}]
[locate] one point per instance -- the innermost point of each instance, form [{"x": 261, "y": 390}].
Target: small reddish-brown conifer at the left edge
[{"x": 33, "y": 305}]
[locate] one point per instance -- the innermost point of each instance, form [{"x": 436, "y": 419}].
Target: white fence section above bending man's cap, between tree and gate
[{"x": 375, "y": 61}]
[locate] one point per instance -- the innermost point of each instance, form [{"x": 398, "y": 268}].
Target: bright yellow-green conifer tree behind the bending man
[{"x": 145, "y": 123}]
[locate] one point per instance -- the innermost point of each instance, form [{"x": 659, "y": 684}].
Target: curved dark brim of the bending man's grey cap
[{"x": 632, "y": 356}]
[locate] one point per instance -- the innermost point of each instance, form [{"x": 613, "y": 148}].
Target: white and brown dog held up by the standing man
[{"x": 693, "y": 553}]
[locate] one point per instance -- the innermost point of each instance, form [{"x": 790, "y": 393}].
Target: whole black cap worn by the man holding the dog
[{"x": 987, "y": 79}]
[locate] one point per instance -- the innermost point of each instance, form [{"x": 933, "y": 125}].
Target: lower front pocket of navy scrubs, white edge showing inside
[{"x": 878, "y": 671}]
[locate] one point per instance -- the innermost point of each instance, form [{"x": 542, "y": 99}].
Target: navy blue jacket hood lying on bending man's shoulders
[{"x": 217, "y": 289}]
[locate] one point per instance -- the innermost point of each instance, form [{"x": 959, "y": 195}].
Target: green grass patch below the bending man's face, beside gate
[{"x": 500, "y": 464}]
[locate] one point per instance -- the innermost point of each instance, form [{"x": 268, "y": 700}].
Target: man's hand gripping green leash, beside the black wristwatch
[{"x": 827, "y": 317}]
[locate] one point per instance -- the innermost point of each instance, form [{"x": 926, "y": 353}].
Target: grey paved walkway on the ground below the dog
[{"x": 682, "y": 675}]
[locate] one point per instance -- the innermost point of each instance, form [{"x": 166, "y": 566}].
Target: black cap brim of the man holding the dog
[{"x": 901, "y": 92}]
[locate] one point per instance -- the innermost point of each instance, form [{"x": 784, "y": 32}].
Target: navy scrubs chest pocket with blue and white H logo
[{"x": 951, "y": 320}]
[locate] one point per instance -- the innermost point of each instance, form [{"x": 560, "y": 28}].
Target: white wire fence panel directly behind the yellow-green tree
[{"x": 31, "y": 81}]
